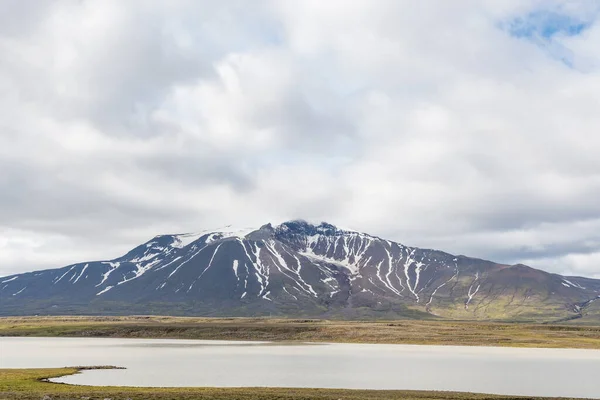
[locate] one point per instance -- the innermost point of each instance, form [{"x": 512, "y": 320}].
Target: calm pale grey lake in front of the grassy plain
[{"x": 154, "y": 362}]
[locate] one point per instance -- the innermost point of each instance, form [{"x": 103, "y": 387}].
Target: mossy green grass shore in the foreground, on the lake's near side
[{"x": 29, "y": 384}]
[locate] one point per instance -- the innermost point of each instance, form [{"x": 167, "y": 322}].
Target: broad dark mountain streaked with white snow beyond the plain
[{"x": 299, "y": 269}]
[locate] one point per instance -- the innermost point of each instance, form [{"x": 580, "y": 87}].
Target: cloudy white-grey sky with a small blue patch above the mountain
[{"x": 468, "y": 126}]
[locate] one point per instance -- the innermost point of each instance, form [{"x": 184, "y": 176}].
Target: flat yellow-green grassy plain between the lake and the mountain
[{"x": 308, "y": 330}]
